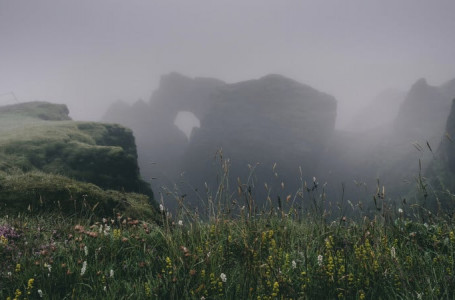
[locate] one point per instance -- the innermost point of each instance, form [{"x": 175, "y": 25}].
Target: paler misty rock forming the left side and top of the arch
[{"x": 161, "y": 144}]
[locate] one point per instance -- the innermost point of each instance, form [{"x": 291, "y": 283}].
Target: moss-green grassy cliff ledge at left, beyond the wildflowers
[{"x": 45, "y": 158}]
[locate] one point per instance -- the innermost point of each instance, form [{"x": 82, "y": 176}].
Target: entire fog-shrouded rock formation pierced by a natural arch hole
[{"x": 269, "y": 120}]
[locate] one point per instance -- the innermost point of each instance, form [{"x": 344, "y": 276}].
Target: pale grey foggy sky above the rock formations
[{"x": 88, "y": 53}]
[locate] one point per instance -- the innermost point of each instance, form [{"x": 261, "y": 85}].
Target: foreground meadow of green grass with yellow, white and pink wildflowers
[{"x": 247, "y": 255}]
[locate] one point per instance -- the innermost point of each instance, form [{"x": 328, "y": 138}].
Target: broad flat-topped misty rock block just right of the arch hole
[{"x": 272, "y": 121}]
